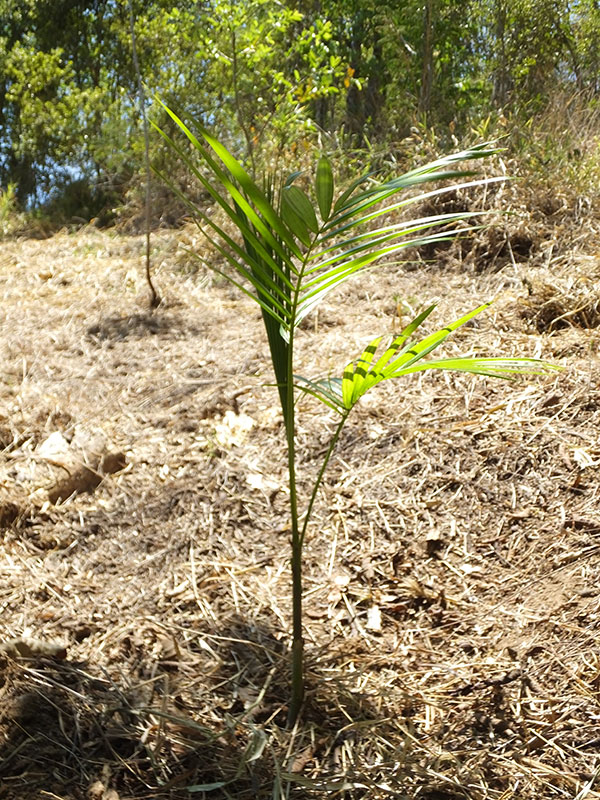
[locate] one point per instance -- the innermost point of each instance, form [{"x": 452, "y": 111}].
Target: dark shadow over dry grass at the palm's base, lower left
[{"x": 71, "y": 731}]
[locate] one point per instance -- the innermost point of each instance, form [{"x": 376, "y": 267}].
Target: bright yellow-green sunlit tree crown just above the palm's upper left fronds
[{"x": 268, "y": 64}]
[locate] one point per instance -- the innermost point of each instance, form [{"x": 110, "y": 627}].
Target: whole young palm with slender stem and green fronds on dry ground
[{"x": 291, "y": 253}]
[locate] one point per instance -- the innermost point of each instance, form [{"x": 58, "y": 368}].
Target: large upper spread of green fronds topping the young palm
[{"x": 292, "y": 261}]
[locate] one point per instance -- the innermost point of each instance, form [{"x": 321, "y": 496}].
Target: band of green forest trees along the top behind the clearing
[{"x": 269, "y": 76}]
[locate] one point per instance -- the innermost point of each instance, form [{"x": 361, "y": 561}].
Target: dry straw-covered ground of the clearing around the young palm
[{"x": 451, "y": 571}]
